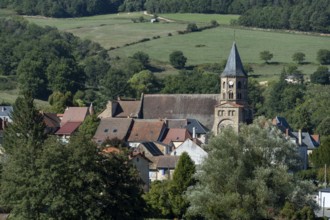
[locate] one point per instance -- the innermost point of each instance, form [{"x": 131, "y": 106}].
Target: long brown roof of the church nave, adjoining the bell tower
[{"x": 181, "y": 106}]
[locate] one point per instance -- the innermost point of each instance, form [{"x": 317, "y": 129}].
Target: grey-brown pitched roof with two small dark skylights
[{"x": 112, "y": 128}]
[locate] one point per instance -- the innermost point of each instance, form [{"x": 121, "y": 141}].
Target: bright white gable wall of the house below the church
[{"x": 196, "y": 153}]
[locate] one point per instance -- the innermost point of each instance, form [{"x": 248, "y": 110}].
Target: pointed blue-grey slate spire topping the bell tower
[{"x": 234, "y": 66}]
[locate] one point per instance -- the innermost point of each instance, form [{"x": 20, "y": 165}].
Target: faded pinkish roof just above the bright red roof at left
[{"x": 74, "y": 114}]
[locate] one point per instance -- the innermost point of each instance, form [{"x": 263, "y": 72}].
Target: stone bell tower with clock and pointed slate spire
[{"x": 233, "y": 108}]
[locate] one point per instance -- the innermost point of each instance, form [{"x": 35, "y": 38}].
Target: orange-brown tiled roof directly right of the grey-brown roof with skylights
[{"x": 146, "y": 130}]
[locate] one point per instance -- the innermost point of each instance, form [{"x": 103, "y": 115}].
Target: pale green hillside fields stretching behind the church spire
[{"x": 208, "y": 46}]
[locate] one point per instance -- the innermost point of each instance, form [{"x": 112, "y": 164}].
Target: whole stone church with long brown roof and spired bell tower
[{"x": 212, "y": 112}]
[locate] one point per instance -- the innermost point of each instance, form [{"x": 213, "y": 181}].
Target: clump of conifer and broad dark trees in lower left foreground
[{"x": 45, "y": 179}]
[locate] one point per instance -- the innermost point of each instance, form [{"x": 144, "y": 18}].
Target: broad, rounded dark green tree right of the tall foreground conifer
[{"x": 79, "y": 181}]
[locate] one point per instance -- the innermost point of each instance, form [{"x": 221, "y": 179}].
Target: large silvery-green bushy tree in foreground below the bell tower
[{"x": 252, "y": 178}]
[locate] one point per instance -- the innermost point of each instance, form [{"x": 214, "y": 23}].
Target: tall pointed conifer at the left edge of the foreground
[{"x": 23, "y": 141}]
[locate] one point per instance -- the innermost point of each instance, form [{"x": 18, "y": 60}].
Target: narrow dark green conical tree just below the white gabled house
[{"x": 182, "y": 179}]
